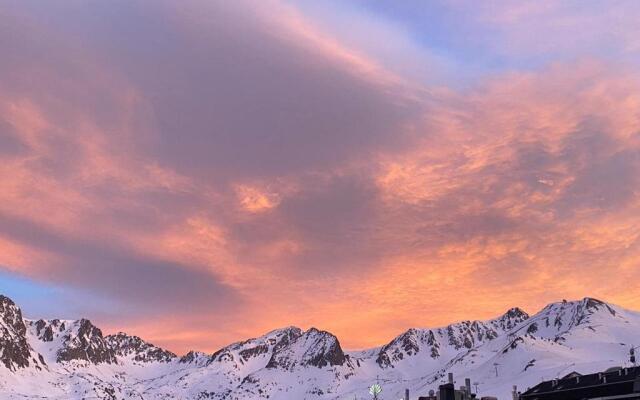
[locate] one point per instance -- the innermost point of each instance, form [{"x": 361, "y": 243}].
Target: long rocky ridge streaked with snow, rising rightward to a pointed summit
[{"x": 459, "y": 336}]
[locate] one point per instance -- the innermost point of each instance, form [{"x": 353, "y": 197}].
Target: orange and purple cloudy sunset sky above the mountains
[{"x": 201, "y": 172}]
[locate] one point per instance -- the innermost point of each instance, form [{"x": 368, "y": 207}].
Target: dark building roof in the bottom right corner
[{"x": 612, "y": 384}]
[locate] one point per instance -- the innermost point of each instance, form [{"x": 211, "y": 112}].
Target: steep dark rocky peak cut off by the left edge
[{"x": 15, "y": 351}]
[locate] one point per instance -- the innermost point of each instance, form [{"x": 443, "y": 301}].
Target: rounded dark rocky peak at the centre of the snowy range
[{"x": 313, "y": 348}]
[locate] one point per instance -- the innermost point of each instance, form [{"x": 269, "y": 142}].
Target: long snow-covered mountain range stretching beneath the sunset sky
[{"x": 71, "y": 359}]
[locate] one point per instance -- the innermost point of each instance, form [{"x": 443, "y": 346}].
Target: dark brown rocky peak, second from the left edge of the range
[{"x": 84, "y": 341}]
